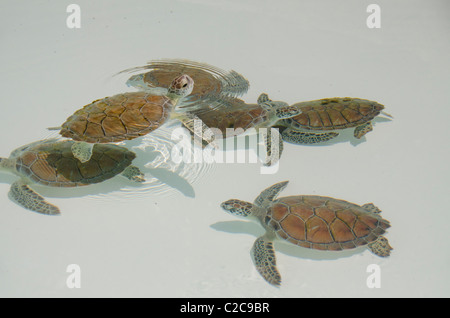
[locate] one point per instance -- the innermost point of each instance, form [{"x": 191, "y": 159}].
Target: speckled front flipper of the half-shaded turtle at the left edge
[{"x": 23, "y": 195}]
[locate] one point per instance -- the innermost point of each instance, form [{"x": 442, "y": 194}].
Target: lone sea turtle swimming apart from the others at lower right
[{"x": 309, "y": 221}]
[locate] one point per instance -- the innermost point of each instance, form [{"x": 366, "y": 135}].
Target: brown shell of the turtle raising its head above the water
[{"x": 120, "y": 117}]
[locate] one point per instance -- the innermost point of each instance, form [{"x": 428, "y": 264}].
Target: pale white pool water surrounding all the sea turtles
[{"x": 176, "y": 241}]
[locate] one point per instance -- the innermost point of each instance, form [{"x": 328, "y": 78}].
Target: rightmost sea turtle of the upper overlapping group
[{"x": 329, "y": 114}]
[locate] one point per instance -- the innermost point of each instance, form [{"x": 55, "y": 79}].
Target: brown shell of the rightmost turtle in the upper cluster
[{"x": 334, "y": 113}]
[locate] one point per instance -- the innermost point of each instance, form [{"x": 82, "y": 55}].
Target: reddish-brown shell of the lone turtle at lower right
[{"x": 324, "y": 223}]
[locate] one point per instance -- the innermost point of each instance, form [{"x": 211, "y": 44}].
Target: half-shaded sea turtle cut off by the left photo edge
[{"x": 51, "y": 163}]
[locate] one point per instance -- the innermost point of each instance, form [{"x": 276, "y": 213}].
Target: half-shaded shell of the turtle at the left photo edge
[{"x": 53, "y": 164}]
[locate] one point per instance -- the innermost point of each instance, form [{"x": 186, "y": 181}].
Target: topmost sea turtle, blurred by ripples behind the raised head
[{"x": 210, "y": 82}]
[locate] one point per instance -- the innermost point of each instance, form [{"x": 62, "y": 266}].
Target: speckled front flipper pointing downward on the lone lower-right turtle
[{"x": 263, "y": 255}]
